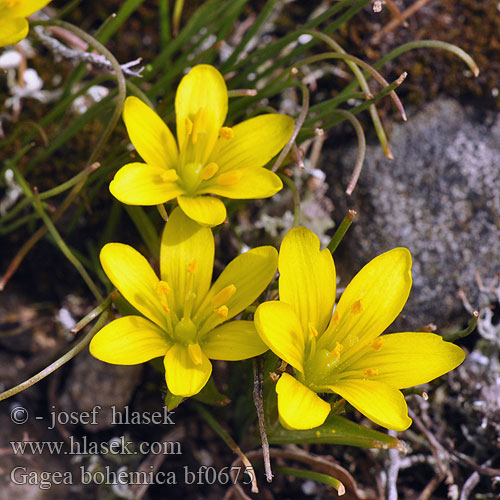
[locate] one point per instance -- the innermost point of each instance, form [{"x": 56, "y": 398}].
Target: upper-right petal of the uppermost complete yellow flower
[{"x": 254, "y": 142}]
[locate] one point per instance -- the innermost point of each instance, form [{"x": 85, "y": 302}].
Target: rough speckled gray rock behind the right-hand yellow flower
[{"x": 439, "y": 197}]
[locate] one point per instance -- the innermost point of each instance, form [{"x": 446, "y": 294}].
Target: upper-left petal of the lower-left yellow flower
[{"x": 131, "y": 273}]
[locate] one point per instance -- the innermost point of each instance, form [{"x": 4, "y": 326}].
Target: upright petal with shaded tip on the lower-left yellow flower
[{"x": 186, "y": 258}]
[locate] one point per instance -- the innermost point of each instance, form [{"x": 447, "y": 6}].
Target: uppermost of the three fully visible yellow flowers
[{"x": 207, "y": 158}]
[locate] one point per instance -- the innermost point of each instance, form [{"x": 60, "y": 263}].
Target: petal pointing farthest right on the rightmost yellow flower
[{"x": 408, "y": 359}]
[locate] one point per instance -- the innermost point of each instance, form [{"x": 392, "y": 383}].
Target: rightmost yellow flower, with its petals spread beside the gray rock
[{"x": 344, "y": 353}]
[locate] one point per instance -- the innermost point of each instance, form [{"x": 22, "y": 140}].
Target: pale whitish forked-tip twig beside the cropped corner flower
[{"x": 97, "y": 60}]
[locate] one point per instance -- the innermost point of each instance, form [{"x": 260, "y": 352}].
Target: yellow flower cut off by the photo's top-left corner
[{"x": 13, "y": 24}]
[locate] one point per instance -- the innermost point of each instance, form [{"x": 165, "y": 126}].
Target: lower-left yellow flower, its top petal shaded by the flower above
[{"x": 184, "y": 317}]
